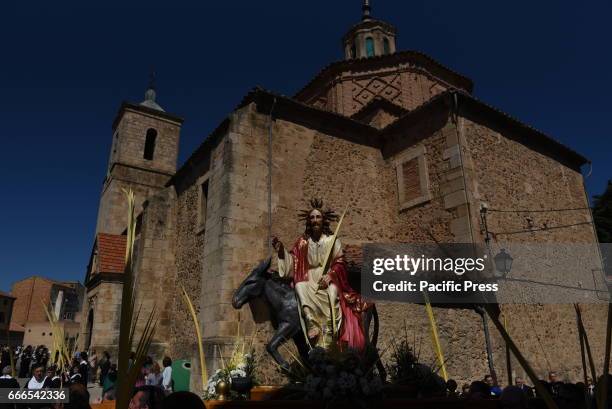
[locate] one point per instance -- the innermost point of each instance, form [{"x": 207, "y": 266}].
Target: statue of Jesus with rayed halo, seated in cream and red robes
[{"x": 324, "y": 296}]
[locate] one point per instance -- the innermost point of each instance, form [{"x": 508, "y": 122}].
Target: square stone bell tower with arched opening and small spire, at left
[{"x": 143, "y": 157}]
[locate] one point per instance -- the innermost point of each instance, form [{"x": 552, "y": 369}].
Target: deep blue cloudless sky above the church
[{"x": 65, "y": 67}]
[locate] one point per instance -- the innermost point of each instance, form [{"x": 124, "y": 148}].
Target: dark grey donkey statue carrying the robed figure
[{"x": 281, "y": 298}]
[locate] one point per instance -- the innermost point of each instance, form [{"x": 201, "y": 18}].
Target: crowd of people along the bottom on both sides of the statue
[{"x": 154, "y": 385}]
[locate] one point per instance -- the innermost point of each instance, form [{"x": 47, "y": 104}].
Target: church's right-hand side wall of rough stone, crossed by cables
[{"x": 509, "y": 175}]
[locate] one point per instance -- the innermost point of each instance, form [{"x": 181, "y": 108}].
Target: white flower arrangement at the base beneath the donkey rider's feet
[{"x": 335, "y": 375}]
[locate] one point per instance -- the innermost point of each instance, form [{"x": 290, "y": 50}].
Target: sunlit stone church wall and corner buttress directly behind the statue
[{"x": 307, "y": 164}]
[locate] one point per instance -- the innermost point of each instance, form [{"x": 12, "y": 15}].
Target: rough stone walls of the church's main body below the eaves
[{"x": 467, "y": 163}]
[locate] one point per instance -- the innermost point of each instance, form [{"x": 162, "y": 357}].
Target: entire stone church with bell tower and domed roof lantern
[{"x": 394, "y": 134}]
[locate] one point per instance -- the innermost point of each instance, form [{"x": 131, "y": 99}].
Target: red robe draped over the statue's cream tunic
[{"x": 351, "y": 303}]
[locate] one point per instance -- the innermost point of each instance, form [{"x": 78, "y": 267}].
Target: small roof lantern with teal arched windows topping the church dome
[{"x": 369, "y": 37}]
